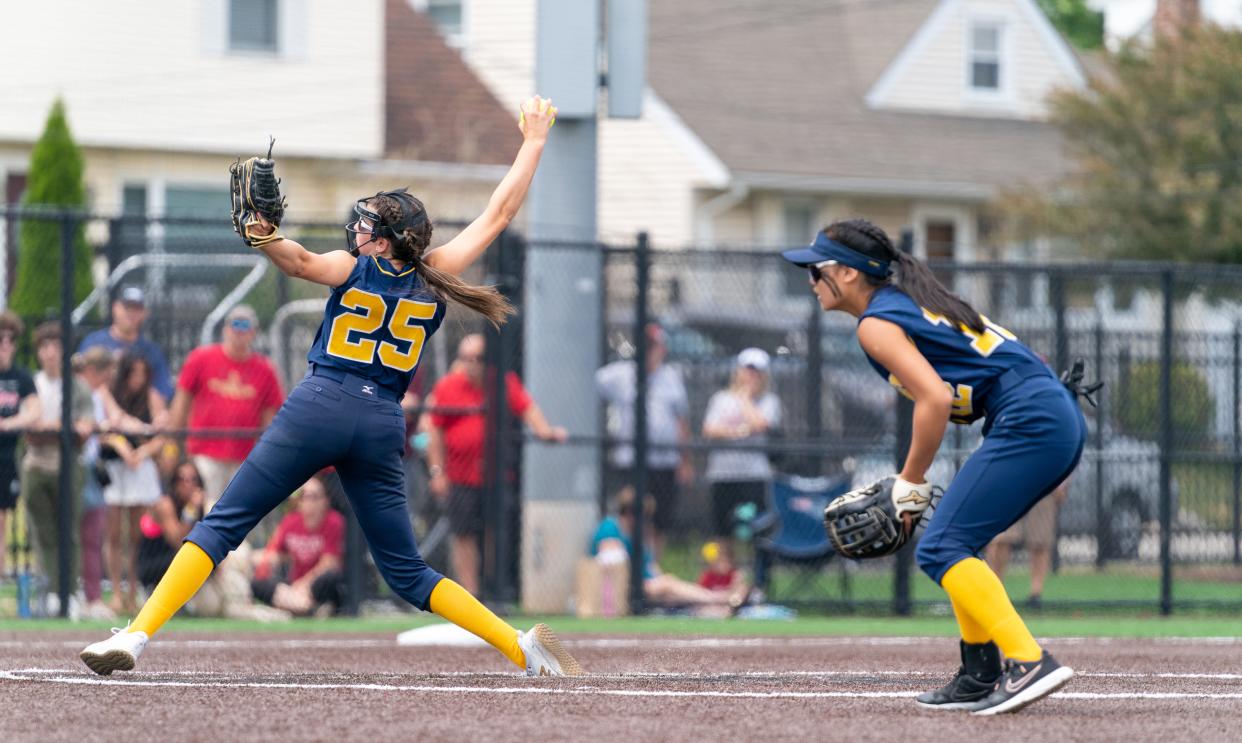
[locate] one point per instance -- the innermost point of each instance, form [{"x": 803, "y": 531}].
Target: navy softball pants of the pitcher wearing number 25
[{"x": 348, "y": 423}]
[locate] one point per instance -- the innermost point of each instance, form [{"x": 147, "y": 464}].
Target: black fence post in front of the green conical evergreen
[{"x": 66, "y": 527}]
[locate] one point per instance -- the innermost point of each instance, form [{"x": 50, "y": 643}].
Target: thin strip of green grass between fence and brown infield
[{"x": 1140, "y": 626}]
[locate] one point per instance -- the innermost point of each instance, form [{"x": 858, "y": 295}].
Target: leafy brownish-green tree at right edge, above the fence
[{"x": 1157, "y": 148}]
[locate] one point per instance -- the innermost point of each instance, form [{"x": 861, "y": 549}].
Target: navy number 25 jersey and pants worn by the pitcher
[{"x": 347, "y": 414}]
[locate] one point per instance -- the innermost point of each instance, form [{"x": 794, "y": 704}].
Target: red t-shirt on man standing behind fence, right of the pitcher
[{"x": 465, "y": 434}]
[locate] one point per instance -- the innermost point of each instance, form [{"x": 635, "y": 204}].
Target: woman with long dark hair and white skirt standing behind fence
[{"x": 134, "y": 479}]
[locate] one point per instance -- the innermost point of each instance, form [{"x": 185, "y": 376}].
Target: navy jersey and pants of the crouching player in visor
[{"x": 1034, "y": 433}]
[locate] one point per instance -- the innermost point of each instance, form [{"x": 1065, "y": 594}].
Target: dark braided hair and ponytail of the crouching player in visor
[{"x": 911, "y": 276}]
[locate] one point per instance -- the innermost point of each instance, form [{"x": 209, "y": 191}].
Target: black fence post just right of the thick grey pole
[{"x": 638, "y": 563}]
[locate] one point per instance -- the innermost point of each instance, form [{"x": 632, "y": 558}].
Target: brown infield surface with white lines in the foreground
[{"x": 213, "y": 688}]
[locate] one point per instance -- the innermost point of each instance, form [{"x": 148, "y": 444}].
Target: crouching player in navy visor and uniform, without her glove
[{"x": 959, "y": 367}]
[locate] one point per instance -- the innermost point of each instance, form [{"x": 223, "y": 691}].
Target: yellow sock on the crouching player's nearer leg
[{"x": 978, "y": 592}]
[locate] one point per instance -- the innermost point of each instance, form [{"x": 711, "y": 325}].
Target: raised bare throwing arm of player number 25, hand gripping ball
[{"x": 455, "y": 257}]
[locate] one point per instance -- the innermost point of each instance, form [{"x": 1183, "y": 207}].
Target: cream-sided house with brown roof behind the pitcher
[{"x": 360, "y": 95}]
